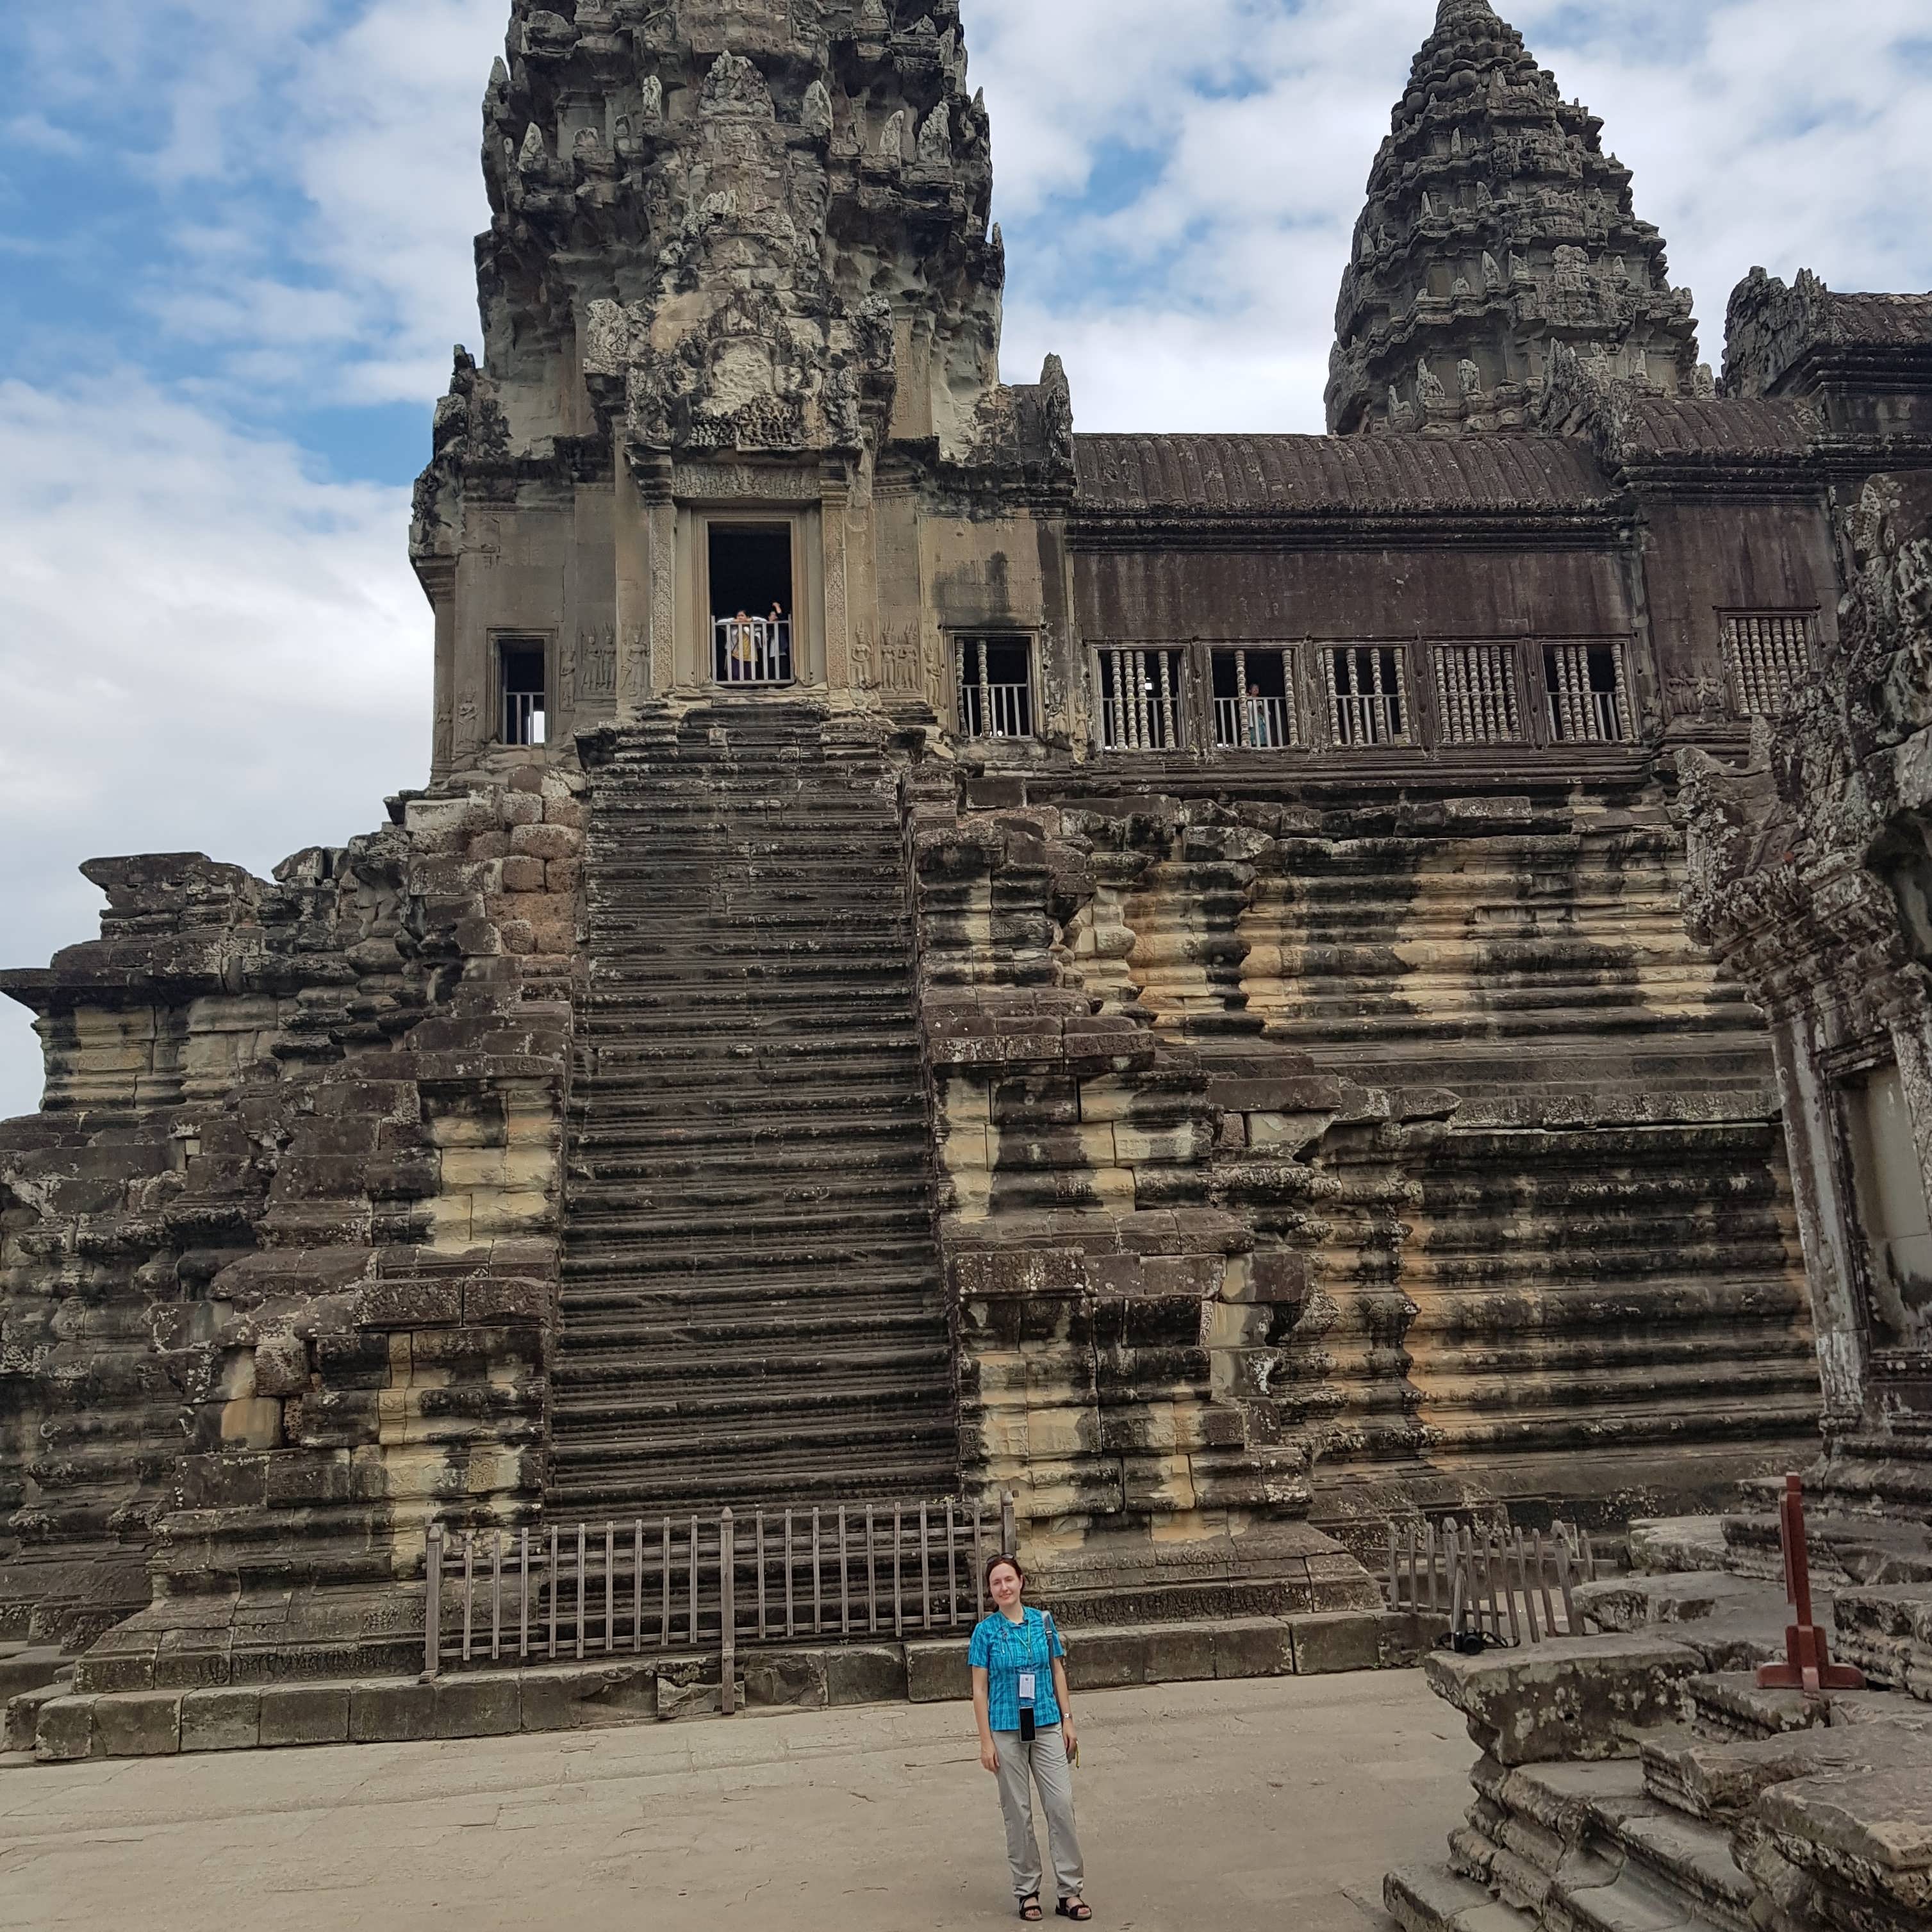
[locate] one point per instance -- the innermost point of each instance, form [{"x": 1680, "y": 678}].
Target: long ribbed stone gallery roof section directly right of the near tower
[{"x": 1334, "y": 474}]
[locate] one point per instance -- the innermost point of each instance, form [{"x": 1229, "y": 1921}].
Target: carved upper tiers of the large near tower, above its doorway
[{"x": 739, "y": 225}]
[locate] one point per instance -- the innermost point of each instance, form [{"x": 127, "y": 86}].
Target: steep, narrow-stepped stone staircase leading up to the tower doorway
[{"x": 753, "y": 1303}]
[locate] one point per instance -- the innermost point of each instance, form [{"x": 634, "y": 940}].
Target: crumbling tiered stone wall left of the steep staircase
[{"x": 283, "y": 1264}]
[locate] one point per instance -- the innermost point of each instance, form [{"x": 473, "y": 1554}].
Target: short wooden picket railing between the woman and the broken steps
[{"x": 1485, "y": 1579}]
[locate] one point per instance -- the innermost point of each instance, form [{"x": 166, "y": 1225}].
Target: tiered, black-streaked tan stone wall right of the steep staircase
[{"x": 1297, "y": 1166}]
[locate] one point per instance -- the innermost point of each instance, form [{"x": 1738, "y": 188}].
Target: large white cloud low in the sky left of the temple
[{"x": 202, "y": 650}]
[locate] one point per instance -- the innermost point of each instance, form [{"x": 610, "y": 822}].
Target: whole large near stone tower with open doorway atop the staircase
[{"x": 739, "y": 285}]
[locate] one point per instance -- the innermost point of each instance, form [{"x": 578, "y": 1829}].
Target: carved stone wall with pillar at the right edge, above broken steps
[{"x": 1809, "y": 878}]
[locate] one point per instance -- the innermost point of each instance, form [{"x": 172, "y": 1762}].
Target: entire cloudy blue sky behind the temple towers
[{"x": 235, "y": 252}]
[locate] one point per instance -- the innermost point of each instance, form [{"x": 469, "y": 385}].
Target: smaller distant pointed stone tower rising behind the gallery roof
[{"x": 1496, "y": 235}]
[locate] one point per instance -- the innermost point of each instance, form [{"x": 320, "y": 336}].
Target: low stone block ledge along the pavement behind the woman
[{"x": 61, "y": 1728}]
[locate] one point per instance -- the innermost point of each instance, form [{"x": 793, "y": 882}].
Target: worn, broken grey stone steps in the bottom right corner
[{"x": 1639, "y": 1782}]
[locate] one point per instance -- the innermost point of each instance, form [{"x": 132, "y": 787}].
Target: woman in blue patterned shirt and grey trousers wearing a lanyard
[{"x": 1027, "y": 1738}]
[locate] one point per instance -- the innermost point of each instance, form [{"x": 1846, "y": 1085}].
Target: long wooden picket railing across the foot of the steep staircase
[{"x": 706, "y": 1583}]
